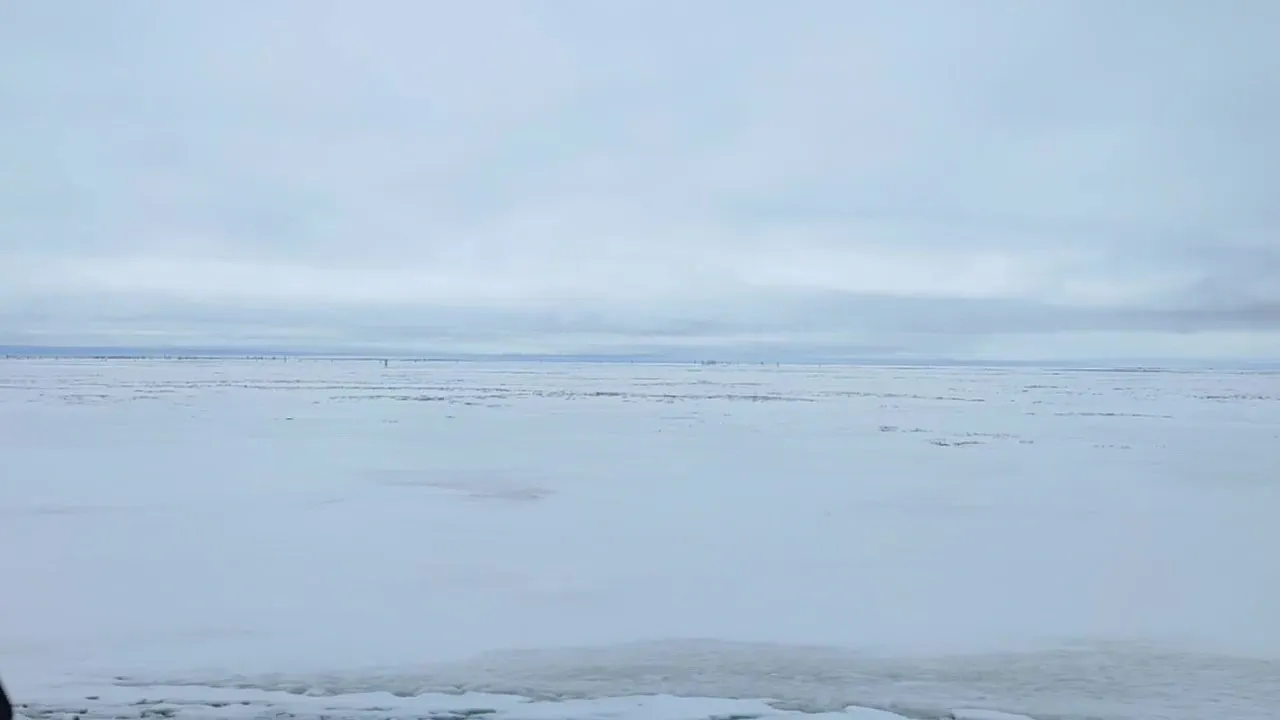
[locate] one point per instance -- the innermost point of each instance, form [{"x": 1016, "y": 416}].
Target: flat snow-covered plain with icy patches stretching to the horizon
[{"x": 316, "y": 539}]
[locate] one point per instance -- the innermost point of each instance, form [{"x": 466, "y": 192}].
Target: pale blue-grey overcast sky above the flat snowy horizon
[{"x": 991, "y": 177}]
